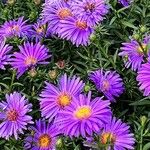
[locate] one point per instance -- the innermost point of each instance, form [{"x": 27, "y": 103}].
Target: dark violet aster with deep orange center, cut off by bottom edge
[{"x": 43, "y": 137}]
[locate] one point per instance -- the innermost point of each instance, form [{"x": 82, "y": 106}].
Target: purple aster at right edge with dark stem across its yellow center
[{"x": 134, "y": 52}]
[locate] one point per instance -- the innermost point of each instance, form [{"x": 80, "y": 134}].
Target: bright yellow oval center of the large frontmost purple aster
[{"x": 83, "y": 112}]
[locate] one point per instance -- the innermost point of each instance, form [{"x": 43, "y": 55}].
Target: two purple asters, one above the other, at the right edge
[{"x": 136, "y": 54}]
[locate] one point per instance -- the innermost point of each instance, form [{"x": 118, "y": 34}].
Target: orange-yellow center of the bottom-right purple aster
[{"x": 107, "y": 138}]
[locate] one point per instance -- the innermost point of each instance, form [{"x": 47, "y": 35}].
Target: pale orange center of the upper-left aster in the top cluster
[{"x": 64, "y": 13}]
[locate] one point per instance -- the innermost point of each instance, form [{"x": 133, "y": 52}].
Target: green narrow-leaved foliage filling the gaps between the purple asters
[{"x": 119, "y": 25}]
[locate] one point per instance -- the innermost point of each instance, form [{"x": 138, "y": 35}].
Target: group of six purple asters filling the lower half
[{"x": 69, "y": 112}]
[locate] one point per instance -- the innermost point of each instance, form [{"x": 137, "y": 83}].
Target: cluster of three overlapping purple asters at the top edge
[{"x": 74, "y": 20}]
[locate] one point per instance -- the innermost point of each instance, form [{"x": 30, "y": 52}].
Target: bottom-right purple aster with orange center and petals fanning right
[{"x": 118, "y": 135}]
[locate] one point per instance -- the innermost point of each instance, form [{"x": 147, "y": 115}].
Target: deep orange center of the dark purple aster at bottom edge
[{"x": 44, "y": 141}]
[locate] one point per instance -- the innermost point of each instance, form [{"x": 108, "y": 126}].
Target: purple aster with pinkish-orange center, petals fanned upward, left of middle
[{"x": 29, "y": 56}]
